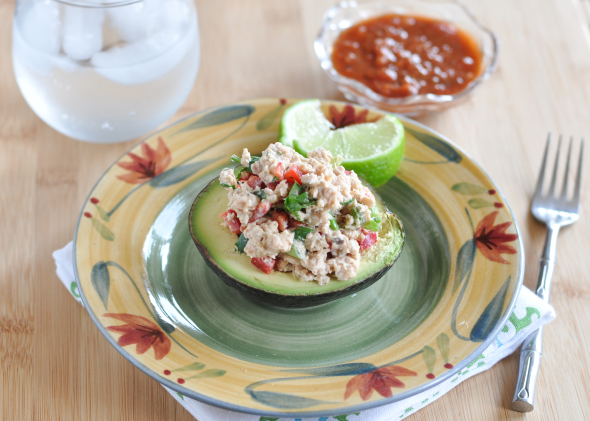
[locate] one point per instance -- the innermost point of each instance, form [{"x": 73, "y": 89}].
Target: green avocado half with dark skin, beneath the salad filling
[{"x": 217, "y": 246}]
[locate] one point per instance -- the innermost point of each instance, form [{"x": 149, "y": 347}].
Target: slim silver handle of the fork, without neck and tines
[{"x": 532, "y": 348}]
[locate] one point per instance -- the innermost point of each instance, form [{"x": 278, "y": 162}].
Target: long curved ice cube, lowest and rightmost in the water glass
[{"x": 146, "y": 60}]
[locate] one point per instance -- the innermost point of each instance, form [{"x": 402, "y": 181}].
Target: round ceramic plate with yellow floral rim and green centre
[{"x": 153, "y": 297}]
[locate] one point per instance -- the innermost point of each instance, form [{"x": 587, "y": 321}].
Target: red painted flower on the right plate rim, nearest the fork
[{"x": 491, "y": 239}]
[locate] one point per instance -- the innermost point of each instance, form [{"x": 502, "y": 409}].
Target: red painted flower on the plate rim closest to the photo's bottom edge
[{"x": 381, "y": 379}]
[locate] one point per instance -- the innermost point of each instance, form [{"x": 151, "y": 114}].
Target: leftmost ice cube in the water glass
[{"x": 40, "y": 26}]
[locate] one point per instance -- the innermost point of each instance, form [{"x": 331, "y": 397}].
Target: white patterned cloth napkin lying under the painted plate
[{"x": 529, "y": 314}]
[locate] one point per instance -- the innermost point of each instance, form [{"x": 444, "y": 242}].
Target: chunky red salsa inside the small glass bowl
[{"x": 401, "y": 55}]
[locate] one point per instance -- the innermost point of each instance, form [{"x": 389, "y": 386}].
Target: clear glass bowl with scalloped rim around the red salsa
[{"x": 348, "y": 13}]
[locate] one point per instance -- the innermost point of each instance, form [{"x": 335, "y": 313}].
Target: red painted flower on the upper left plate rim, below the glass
[{"x": 153, "y": 163}]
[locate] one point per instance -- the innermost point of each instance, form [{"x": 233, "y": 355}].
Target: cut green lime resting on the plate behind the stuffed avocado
[{"x": 372, "y": 150}]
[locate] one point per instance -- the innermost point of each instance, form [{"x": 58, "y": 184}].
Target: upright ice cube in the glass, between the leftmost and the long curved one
[{"x": 82, "y": 32}]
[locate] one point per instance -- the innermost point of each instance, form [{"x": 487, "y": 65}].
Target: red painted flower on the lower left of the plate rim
[{"x": 142, "y": 332}]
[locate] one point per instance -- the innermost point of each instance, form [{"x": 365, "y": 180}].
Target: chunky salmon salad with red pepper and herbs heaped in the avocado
[{"x": 308, "y": 216}]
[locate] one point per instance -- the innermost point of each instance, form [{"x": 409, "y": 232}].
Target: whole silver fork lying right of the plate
[{"x": 555, "y": 211}]
